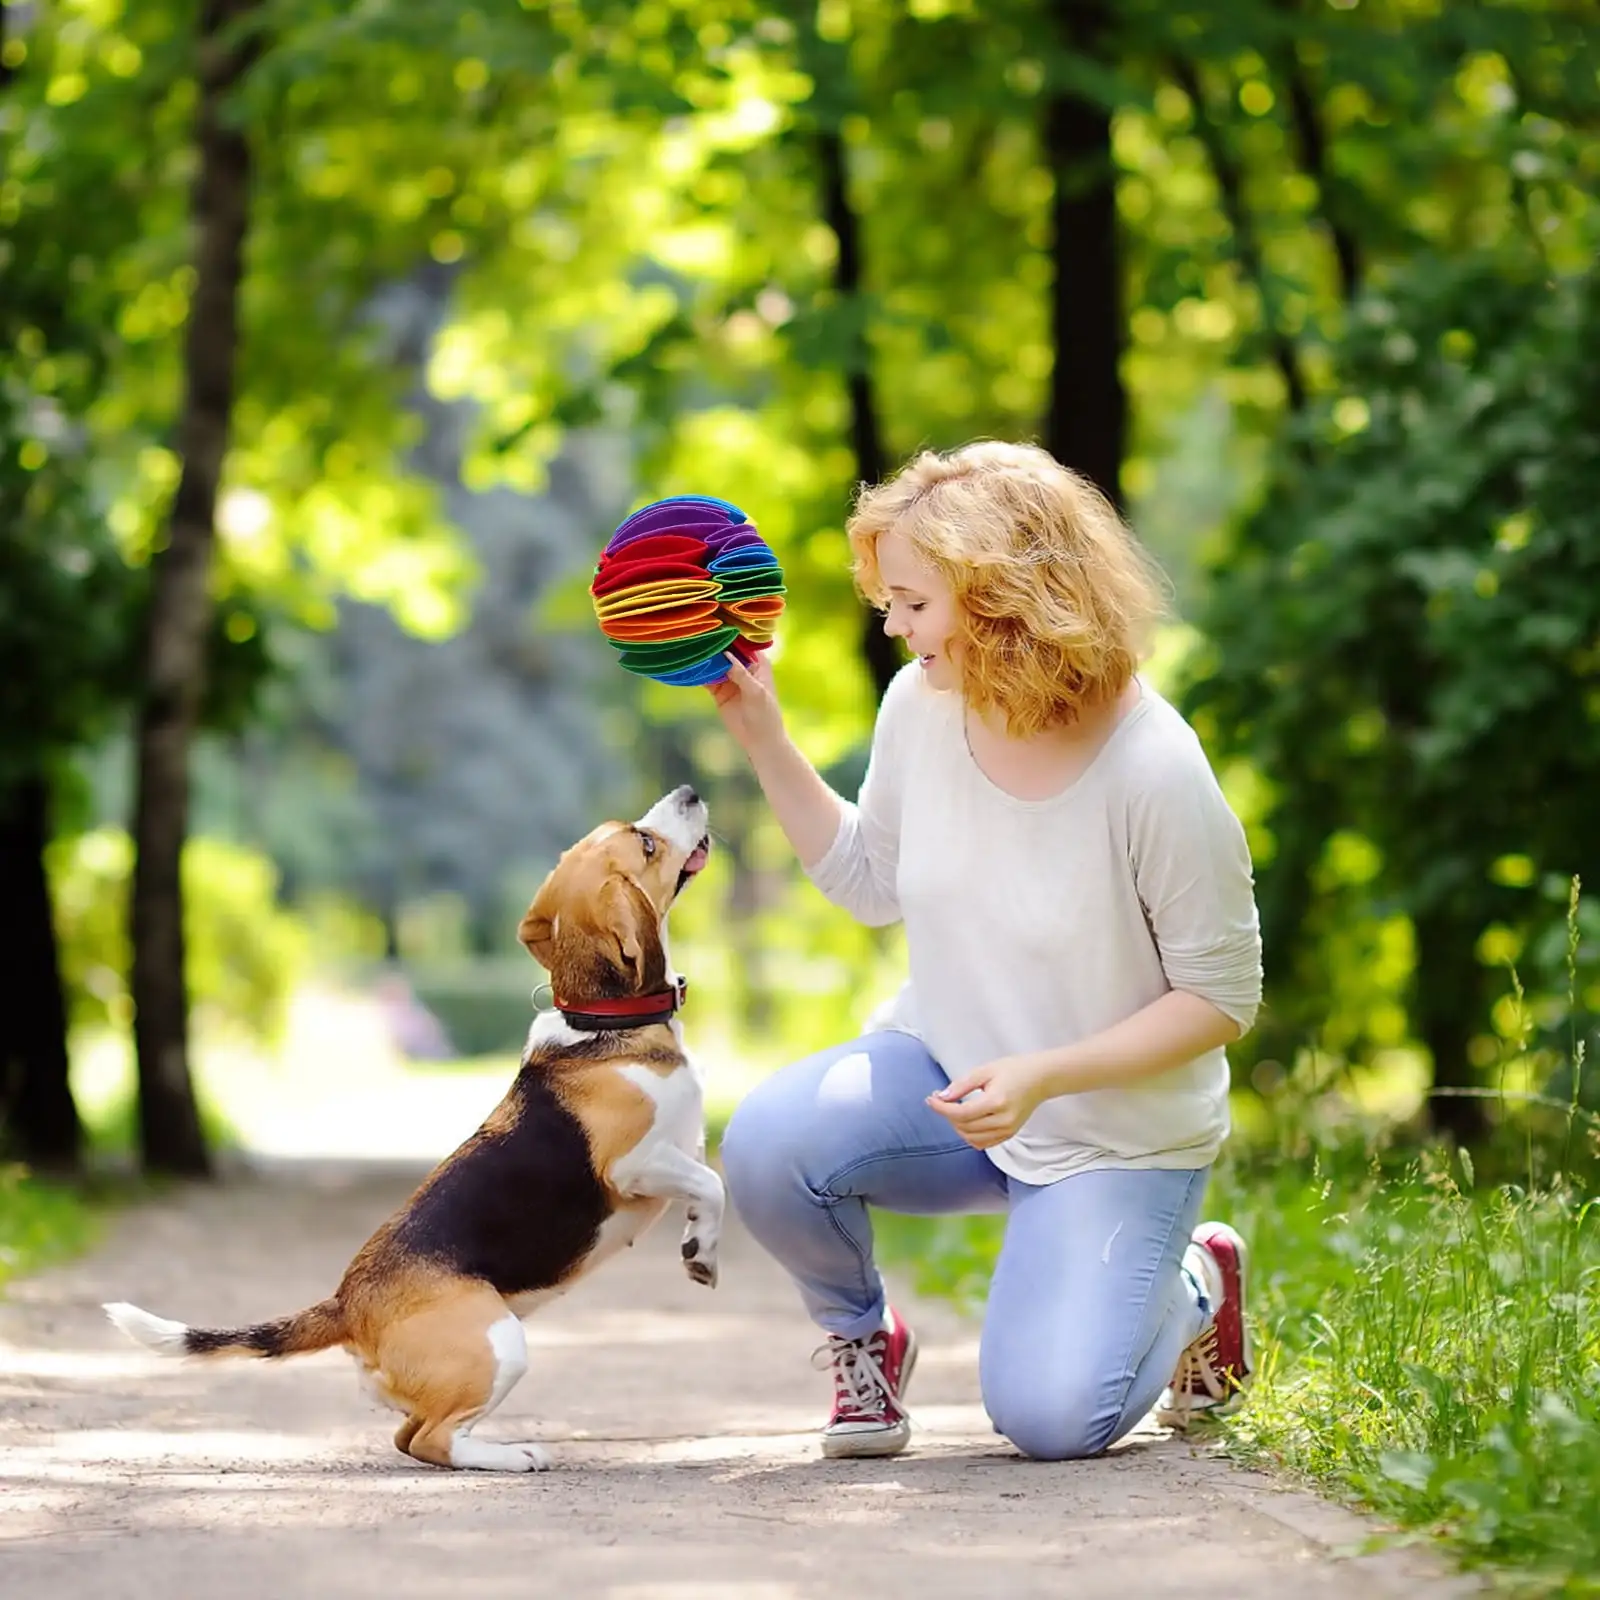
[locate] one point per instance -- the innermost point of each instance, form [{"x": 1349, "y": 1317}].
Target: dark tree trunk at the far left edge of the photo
[{"x": 39, "y": 1118}]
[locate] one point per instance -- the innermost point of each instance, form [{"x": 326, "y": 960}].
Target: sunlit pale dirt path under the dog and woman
[{"x": 682, "y": 1422}]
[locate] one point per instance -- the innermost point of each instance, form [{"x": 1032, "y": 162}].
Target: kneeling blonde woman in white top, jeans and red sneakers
[{"x": 1082, "y": 943}]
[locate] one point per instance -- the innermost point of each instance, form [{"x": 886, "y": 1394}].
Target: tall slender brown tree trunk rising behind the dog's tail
[{"x": 180, "y": 617}]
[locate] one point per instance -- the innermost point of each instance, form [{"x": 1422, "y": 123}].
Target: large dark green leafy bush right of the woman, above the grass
[{"x": 1407, "y": 634}]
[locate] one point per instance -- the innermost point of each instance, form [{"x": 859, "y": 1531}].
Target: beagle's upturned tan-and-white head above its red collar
[{"x": 598, "y": 922}]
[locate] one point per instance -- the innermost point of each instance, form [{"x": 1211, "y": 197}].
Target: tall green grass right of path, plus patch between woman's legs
[{"x": 1425, "y": 1348}]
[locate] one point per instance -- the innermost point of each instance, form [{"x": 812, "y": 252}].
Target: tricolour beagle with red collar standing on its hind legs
[{"x": 601, "y": 1132}]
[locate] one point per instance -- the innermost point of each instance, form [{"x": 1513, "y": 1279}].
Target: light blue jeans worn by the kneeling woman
[{"x": 1089, "y": 1308}]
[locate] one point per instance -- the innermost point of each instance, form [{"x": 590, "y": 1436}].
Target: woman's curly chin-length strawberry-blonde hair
[{"x": 1055, "y": 596}]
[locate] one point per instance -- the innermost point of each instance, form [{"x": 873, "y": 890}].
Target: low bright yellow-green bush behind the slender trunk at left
[{"x": 244, "y": 951}]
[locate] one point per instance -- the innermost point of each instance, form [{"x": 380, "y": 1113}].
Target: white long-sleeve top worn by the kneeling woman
[{"x": 1034, "y": 924}]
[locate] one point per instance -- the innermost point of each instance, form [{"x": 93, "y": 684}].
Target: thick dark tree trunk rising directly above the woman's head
[{"x": 1087, "y": 423}]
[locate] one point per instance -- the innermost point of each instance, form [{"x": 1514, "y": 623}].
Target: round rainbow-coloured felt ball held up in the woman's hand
[{"x": 682, "y": 583}]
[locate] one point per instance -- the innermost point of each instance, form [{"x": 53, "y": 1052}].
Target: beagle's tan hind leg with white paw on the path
[{"x": 452, "y": 1366}]
